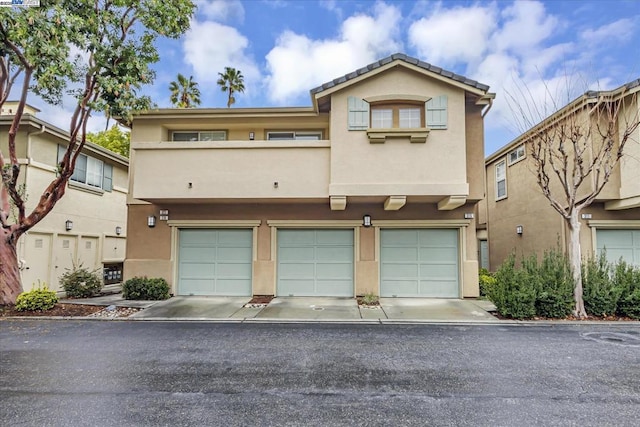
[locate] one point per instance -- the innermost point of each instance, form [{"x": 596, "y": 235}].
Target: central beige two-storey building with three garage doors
[{"x": 277, "y": 201}]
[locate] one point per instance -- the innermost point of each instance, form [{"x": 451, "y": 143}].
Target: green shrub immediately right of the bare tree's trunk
[{"x": 600, "y": 292}]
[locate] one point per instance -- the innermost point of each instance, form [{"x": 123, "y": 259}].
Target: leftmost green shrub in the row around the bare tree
[{"x": 514, "y": 292}]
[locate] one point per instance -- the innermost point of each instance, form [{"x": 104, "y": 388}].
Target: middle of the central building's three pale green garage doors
[{"x": 315, "y": 263}]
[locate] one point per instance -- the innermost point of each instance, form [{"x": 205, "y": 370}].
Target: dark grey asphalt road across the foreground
[{"x": 87, "y": 373}]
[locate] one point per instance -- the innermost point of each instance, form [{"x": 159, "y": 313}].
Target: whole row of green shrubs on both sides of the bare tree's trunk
[{"x": 545, "y": 288}]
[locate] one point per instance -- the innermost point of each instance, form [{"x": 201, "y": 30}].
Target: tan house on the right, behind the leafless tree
[{"x": 519, "y": 218}]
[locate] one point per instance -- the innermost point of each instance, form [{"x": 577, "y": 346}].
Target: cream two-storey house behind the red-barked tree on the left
[{"x": 88, "y": 225}]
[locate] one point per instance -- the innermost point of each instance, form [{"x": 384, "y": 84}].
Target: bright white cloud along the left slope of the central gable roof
[{"x": 297, "y": 63}]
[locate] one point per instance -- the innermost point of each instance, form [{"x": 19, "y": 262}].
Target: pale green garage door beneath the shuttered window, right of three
[{"x": 419, "y": 263}]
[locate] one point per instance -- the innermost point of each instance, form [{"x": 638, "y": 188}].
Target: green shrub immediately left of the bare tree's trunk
[{"x": 555, "y": 285}]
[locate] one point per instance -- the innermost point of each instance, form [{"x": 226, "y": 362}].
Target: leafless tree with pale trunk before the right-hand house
[{"x": 573, "y": 153}]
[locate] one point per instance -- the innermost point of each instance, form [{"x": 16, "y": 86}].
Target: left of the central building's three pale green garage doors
[{"x": 215, "y": 262}]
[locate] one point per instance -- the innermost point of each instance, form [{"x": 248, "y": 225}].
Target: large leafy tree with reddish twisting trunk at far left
[{"x": 100, "y": 52}]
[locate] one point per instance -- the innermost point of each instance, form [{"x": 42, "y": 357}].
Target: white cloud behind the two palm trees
[{"x": 210, "y": 46}]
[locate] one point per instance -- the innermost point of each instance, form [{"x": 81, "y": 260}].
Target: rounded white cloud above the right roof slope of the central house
[{"x": 454, "y": 35}]
